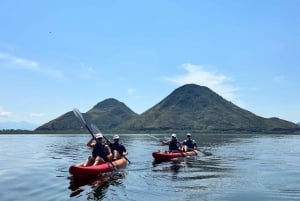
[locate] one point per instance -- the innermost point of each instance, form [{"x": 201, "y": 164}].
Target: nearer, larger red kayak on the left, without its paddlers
[{"x": 83, "y": 172}]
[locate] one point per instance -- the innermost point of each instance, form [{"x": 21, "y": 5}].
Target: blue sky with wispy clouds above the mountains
[{"x": 59, "y": 55}]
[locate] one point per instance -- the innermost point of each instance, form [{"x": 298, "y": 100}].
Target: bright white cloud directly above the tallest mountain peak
[{"x": 196, "y": 74}]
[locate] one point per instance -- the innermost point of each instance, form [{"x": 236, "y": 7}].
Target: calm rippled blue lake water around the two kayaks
[{"x": 241, "y": 167}]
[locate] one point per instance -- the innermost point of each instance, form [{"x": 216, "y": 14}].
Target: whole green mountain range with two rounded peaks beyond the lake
[{"x": 190, "y": 108}]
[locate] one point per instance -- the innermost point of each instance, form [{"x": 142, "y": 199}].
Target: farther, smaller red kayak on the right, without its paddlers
[{"x": 167, "y": 156}]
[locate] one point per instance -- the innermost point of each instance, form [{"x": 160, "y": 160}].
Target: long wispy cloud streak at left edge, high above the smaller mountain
[{"x": 26, "y": 64}]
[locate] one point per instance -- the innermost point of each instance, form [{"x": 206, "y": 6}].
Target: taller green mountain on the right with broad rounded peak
[{"x": 196, "y": 108}]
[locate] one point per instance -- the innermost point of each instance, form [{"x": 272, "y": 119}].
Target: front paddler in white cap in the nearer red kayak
[{"x": 101, "y": 153}]
